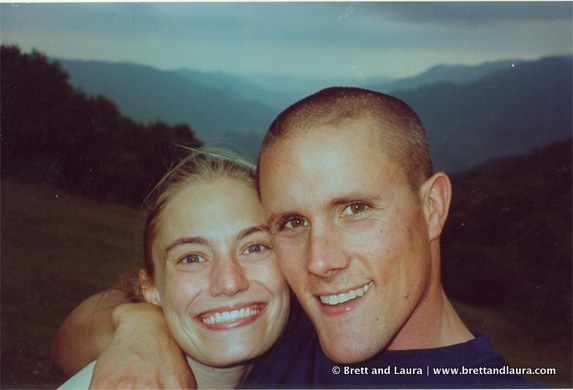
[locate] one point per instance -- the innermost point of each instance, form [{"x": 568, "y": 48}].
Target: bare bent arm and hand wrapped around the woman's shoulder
[{"x": 130, "y": 341}]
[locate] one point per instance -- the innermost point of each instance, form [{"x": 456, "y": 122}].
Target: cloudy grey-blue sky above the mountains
[{"x": 361, "y": 39}]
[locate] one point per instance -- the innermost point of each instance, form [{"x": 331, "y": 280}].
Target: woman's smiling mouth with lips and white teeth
[{"x": 229, "y": 317}]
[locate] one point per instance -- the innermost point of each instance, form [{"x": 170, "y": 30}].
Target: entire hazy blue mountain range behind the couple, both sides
[{"x": 471, "y": 113}]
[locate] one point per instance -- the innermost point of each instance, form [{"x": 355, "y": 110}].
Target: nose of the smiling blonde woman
[{"x": 228, "y": 277}]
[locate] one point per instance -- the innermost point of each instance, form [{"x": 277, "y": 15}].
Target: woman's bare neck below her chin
[{"x": 208, "y": 377}]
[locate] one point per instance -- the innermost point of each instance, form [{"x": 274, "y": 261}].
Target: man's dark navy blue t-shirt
[{"x": 297, "y": 361}]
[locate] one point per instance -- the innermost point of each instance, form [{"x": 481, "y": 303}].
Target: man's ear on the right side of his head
[{"x": 436, "y": 195}]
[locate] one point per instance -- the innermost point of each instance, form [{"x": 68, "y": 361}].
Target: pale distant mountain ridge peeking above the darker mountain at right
[{"x": 458, "y": 74}]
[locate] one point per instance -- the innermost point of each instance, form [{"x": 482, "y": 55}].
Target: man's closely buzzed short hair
[{"x": 402, "y": 133}]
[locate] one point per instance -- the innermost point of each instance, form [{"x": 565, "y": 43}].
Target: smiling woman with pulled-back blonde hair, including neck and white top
[{"x": 209, "y": 265}]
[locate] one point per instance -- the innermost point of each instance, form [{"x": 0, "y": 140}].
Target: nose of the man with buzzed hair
[{"x": 326, "y": 253}]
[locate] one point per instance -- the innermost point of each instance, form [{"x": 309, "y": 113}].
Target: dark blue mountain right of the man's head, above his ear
[{"x": 506, "y": 113}]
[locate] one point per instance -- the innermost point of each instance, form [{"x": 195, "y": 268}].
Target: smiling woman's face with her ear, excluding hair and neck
[{"x": 217, "y": 278}]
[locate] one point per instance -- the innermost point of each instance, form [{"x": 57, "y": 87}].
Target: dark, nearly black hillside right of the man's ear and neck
[{"x": 507, "y": 244}]
